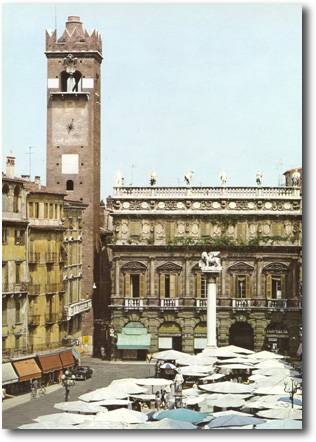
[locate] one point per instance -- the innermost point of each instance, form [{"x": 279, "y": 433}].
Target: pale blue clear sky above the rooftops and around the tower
[{"x": 201, "y": 87}]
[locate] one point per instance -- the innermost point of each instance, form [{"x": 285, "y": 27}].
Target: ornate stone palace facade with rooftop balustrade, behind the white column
[{"x": 157, "y": 293}]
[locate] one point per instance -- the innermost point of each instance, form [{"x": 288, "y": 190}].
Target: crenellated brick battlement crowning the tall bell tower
[{"x": 75, "y": 38}]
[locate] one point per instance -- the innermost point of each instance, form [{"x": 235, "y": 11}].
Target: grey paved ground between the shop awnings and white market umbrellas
[{"x": 23, "y": 409}]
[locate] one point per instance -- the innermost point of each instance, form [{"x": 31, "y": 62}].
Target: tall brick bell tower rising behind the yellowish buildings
[{"x": 73, "y": 137}]
